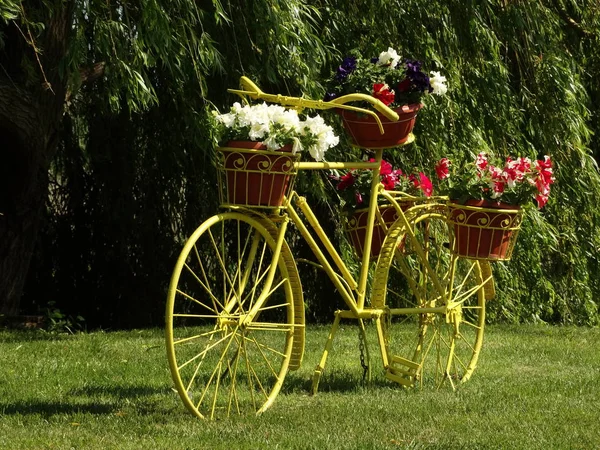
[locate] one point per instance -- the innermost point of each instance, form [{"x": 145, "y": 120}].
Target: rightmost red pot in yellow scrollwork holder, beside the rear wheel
[{"x": 485, "y": 230}]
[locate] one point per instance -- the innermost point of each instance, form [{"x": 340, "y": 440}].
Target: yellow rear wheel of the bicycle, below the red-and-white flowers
[{"x": 432, "y": 330}]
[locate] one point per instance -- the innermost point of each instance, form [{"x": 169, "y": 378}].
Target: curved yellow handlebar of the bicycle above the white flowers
[{"x": 251, "y": 90}]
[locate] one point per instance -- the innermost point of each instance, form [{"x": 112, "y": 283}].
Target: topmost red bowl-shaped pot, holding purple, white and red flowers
[{"x": 365, "y": 133}]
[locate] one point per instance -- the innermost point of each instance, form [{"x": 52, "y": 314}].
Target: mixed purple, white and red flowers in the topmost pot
[{"x": 388, "y": 77}]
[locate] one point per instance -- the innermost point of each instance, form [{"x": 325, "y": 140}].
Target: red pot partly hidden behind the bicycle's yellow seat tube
[{"x": 357, "y": 228}]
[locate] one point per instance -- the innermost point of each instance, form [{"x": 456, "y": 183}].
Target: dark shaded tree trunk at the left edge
[{"x": 31, "y": 112}]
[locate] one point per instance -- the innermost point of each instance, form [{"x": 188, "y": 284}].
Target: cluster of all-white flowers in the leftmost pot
[{"x": 275, "y": 126}]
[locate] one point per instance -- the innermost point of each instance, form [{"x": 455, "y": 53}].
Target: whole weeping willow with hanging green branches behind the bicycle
[{"x": 120, "y": 172}]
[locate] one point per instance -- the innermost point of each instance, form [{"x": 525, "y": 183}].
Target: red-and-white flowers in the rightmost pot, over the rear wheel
[{"x": 513, "y": 181}]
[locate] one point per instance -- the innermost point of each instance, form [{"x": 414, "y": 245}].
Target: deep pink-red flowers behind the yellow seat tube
[{"x": 354, "y": 187}]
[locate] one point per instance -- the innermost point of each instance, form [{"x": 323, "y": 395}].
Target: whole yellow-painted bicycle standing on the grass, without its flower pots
[{"x": 235, "y": 311}]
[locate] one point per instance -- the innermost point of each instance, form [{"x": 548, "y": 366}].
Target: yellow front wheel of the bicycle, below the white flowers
[{"x": 229, "y": 326}]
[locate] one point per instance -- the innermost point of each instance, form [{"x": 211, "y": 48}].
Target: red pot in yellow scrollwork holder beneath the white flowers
[{"x": 250, "y": 175}]
